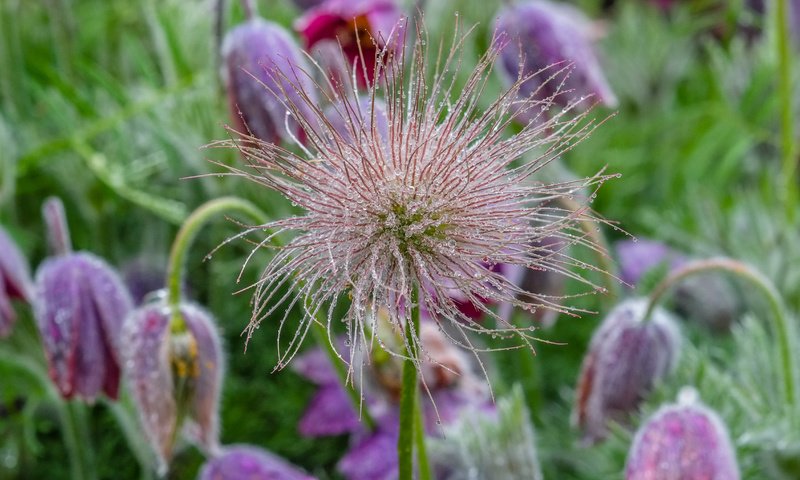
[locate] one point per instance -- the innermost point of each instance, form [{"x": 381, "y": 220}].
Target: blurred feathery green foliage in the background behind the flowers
[{"x": 108, "y": 103}]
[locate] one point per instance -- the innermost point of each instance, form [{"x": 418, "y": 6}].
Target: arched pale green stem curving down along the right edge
[{"x": 783, "y": 329}]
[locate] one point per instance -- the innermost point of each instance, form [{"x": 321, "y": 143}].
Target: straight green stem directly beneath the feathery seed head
[{"x": 408, "y": 396}]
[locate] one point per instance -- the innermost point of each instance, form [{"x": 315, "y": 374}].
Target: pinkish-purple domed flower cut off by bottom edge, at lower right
[{"x": 682, "y": 441}]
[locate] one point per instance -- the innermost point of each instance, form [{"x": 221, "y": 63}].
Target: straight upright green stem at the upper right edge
[{"x": 785, "y": 95}]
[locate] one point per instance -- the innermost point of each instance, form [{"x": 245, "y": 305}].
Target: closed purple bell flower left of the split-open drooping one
[{"x": 80, "y": 305}]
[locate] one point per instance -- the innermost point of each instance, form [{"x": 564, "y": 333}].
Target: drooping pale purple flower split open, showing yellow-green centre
[{"x": 174, "y": 376}]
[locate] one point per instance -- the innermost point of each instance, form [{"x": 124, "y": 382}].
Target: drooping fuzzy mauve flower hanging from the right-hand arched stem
[{"x": 627, "y": 357}]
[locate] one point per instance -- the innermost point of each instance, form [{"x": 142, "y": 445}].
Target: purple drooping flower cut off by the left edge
[{"x": 15, "y": 281}]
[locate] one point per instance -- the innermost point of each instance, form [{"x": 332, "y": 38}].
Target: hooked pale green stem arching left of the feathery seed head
[{"x": 186, "y": 235}]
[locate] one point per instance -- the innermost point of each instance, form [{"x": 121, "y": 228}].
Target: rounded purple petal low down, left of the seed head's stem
[{"x": 329, "y": 413}]
